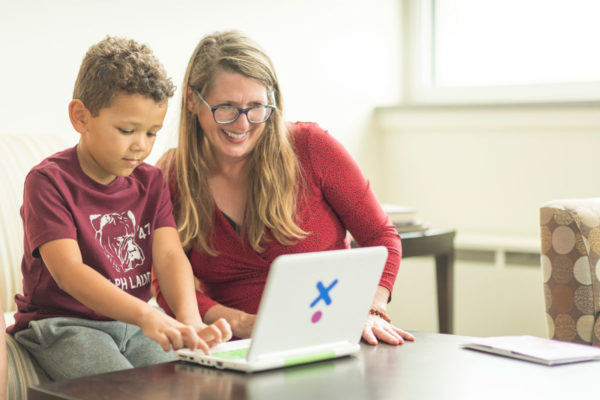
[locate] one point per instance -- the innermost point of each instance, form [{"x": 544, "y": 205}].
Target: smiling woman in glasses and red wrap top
[{"x": 247, "y": 187}]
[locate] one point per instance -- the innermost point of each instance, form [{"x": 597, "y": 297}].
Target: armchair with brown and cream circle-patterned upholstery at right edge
[{"x": 570, "y": 258}]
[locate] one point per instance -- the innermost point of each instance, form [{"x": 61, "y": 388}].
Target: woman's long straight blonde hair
[{"x": 274, "y": 174}]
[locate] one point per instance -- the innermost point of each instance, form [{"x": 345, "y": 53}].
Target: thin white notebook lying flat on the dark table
[{"x": 536, "y": 349}]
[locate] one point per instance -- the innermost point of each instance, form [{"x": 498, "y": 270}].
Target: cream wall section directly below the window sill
[{"x": 486, "y": 170}]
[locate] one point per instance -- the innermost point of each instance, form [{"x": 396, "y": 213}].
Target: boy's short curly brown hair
[{"x": 116, "y": 65}]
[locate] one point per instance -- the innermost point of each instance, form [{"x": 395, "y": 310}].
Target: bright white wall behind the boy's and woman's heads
[{"x": 336, "y": 59}]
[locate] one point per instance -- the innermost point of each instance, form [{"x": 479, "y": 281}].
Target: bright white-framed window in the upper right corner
[{"x": 502, "y": 50}]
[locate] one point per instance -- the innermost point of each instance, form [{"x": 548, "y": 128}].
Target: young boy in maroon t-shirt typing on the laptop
[{"x": 96, "y": 218}]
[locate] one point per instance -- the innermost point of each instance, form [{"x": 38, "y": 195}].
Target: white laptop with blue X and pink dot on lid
[{"x": 313, "y": 308}]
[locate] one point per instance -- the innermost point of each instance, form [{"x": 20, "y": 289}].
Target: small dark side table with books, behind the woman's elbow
[{"x": 440, "y": 244}]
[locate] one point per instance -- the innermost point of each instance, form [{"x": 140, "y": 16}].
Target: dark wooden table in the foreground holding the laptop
[{"x": 433, "y": 367}]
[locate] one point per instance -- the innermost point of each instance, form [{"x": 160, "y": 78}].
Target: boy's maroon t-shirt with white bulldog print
[{"x": 112, "y": 224}]
